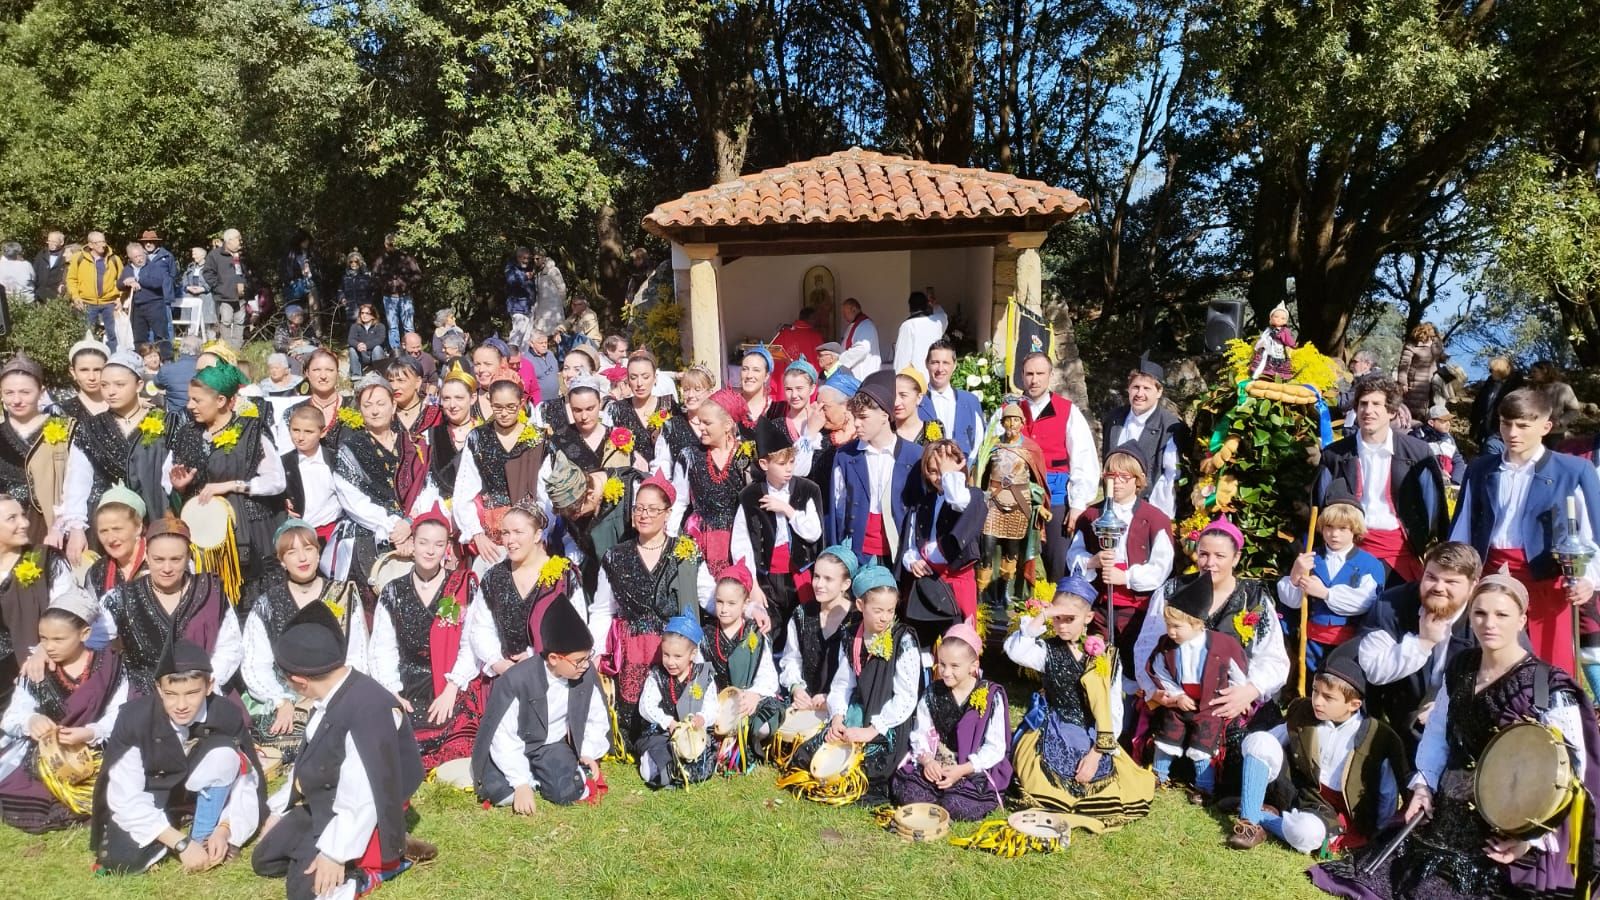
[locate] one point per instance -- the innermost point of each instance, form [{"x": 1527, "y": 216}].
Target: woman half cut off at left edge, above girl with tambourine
[{"x": 30, "y": 576}]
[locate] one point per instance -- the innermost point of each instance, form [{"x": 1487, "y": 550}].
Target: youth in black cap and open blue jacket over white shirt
[{"x": 871, "y": 499}]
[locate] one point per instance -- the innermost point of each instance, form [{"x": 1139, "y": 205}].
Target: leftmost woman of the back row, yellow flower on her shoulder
[{"x": 34, "y": 449}]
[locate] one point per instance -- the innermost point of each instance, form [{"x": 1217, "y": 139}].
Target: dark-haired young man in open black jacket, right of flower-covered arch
[{"x": 1393, "y": 476}]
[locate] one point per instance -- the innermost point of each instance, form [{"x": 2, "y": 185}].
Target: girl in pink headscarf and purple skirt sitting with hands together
[{"x": 962, "y": 734}]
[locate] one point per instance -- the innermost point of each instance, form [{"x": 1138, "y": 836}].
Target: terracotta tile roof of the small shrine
[{"x": 863, "y": 187}]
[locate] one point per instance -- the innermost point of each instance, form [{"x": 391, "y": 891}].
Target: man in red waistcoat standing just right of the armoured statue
[{"x": 1071, "y": 460}]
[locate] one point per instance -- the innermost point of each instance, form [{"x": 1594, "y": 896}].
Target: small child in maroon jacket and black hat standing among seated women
[{"x": 1190, "y": 665}]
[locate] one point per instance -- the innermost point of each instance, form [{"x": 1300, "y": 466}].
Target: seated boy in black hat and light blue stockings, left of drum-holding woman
[{"x": 1343, "y": 776}]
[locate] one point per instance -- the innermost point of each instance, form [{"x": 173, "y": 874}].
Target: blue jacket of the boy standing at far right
[{"x": 1543, "y": 520}]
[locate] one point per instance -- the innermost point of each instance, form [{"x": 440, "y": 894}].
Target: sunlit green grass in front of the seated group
[{"x": 727, "y": 838}]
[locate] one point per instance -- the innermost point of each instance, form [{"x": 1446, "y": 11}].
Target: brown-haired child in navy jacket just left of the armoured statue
[{"x": 942, "y": 539}]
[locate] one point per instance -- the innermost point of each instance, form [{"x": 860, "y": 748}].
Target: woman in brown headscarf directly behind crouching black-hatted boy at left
[{"x": 169, "y": 605}]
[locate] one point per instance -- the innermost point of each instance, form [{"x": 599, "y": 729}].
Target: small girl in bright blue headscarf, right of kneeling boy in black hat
[{"x": 679, "y": 694}]
